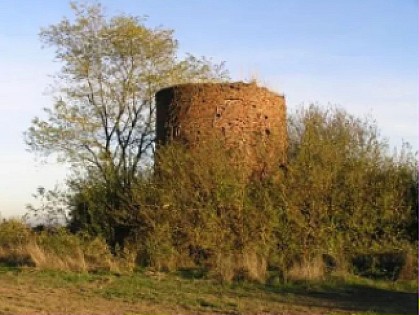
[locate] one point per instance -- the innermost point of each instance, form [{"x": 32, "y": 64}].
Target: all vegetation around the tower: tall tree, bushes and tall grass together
[{"x": 343, "y": 204}]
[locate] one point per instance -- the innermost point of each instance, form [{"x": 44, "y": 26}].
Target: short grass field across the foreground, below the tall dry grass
[{"x": 30, "y": 291}]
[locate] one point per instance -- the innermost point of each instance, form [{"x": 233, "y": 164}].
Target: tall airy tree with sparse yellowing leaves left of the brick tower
[{"x": 103, "y": 118}]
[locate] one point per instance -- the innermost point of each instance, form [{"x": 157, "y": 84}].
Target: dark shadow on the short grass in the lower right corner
[{"x": 355, "y": 297}]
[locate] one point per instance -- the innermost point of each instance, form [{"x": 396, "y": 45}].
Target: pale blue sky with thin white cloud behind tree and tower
[{"x": 360, "y": 55}]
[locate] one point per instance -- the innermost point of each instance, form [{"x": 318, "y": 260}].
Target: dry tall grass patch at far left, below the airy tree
[{"x": 58, "y": 249}]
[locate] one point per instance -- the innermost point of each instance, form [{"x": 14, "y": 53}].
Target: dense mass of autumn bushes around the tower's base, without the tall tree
[{"x": 341, "y": 194}]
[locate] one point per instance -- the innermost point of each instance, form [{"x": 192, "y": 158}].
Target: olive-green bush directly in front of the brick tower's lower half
[{"x": 201, "y": 192}]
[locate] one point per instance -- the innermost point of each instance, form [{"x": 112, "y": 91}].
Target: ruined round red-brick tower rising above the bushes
[{"x": 245, "y": 117}]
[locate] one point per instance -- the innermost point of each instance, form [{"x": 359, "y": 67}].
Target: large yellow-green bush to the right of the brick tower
[{"x": 343, "y": 193}]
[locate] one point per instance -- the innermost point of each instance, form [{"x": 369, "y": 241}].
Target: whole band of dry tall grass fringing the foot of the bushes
[{"x": 58, "y": 249}]
